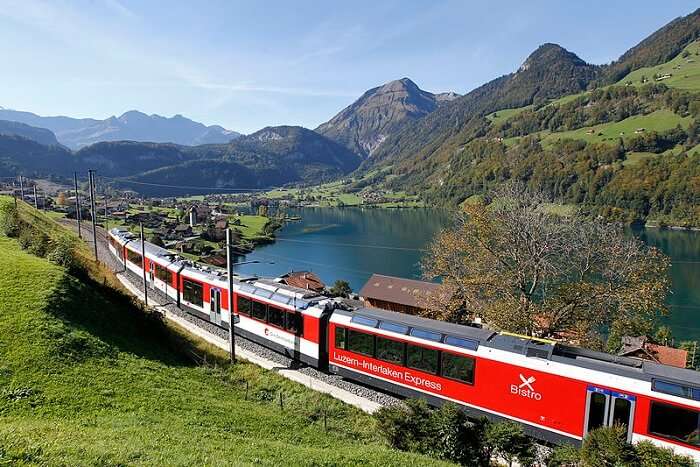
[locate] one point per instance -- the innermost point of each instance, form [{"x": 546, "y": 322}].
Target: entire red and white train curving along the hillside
[{"x": 557, "y": 392}]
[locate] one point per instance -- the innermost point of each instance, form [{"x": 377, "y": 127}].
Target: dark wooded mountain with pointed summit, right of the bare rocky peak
[{"x": 549, "y": 72}]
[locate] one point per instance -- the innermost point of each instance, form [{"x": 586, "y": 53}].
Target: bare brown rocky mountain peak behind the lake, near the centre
[{"x": 379, "y": 113}]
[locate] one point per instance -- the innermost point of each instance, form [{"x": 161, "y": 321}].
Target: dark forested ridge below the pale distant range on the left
[{"x": 270, "y": 157}]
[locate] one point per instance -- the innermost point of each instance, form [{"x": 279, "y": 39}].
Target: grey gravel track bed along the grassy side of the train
[{"x": 156, "y": 296}]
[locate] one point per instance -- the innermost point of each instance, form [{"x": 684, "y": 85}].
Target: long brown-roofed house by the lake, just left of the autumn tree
[{"x": 396, "y": 293}]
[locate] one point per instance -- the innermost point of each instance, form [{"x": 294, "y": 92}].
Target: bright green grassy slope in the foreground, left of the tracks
[{"x": 86, "y": 378}]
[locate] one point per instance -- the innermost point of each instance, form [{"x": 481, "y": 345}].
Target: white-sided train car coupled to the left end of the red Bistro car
[{"x": 287, "y": 319}]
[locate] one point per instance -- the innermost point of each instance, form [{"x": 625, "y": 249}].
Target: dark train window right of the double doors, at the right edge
[{"x": 677, "y": 423}]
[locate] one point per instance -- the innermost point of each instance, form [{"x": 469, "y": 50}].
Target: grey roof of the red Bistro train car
[{"x": 534, "y": 348}]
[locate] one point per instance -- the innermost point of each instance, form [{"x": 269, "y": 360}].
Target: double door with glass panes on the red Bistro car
[{"x": 607, "y": 408}]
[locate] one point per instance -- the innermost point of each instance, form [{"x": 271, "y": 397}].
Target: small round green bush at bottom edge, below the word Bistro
[{"x": 508, "y": 441}]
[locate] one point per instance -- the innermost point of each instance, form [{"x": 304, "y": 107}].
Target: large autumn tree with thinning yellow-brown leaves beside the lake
[{"x": 522, "y": 266}]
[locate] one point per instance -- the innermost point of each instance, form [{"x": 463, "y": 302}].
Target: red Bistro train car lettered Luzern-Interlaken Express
[{"x": 558, "y": 393}]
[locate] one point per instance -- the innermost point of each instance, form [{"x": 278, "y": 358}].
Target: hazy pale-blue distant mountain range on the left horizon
[{"x": 132, "y": 126}]
